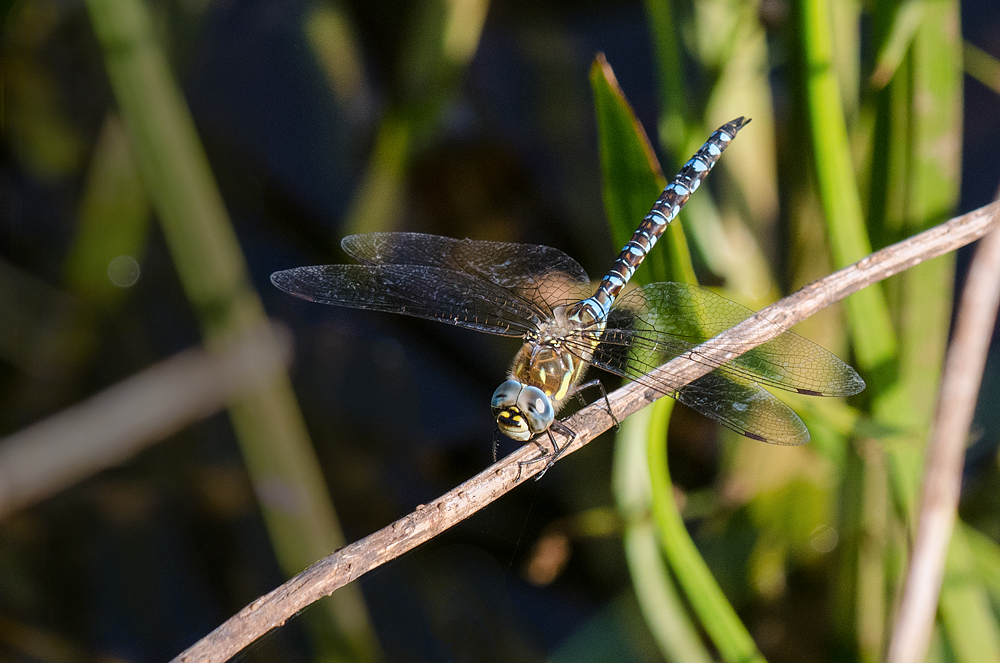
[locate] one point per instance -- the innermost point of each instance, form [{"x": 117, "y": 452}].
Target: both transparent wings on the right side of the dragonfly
[{"x": 651, "y": 325}]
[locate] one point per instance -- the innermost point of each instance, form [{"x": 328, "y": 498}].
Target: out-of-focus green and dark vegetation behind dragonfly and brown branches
[{"x": 161, "y": 159}]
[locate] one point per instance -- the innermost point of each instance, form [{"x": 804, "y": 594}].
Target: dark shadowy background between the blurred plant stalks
[{"x": 139, "y": 560}]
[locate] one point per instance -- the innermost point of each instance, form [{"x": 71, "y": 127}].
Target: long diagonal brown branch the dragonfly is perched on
[{"x": 427, "y": 521}]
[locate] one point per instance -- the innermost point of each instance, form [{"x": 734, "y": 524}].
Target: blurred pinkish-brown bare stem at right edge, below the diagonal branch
[{"x": 963, "y": 371}]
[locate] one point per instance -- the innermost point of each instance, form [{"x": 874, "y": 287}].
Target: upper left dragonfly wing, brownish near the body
[{"x": 543, "y": 275}]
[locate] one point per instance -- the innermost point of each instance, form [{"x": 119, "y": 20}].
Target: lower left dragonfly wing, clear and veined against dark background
[{"x": 425, "y": 292}]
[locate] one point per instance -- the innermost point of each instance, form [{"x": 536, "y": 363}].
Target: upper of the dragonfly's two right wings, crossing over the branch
[{"x": 664, "y": 320}]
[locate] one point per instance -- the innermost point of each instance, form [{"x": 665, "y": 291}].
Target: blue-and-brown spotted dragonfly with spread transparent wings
[{"x": 543, "y": 296}]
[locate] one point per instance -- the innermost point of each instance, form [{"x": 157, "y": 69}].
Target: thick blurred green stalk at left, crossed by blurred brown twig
[{"x": 210, "y": 264}]
